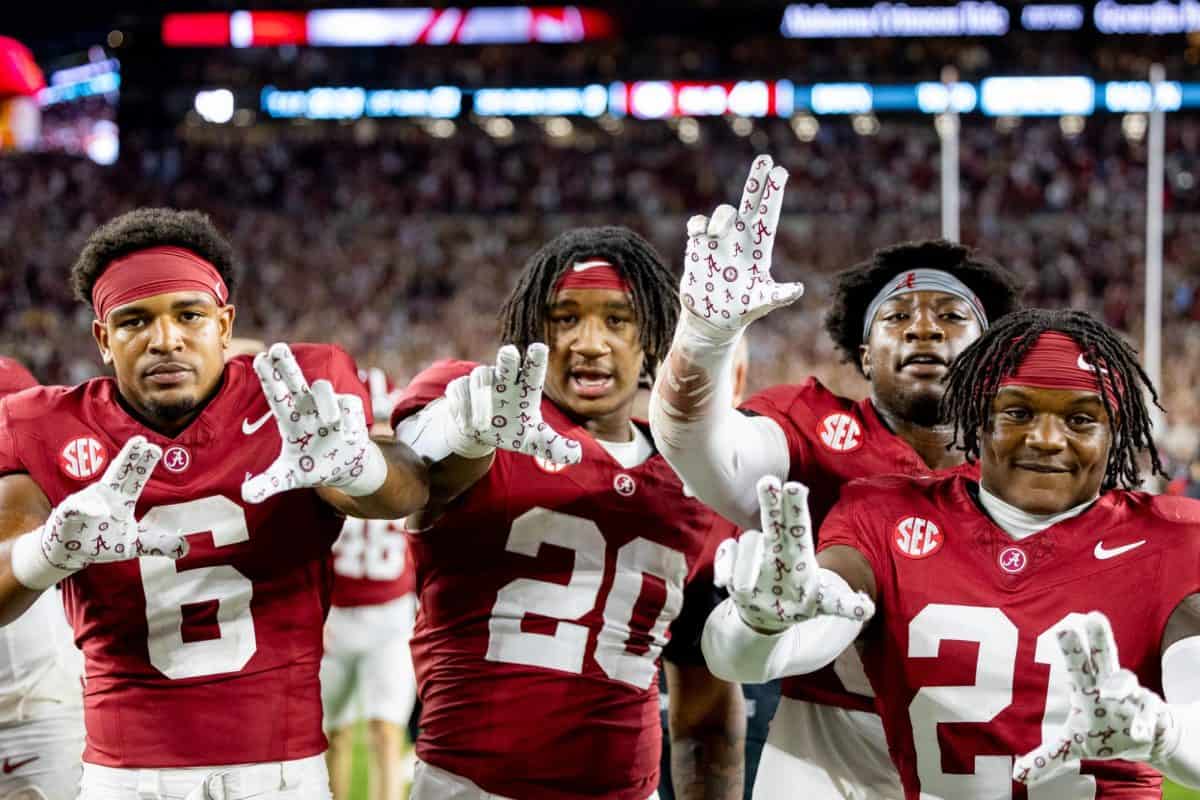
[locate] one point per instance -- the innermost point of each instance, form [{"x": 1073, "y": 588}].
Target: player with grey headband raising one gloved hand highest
[{"x": 902, "y": 317}]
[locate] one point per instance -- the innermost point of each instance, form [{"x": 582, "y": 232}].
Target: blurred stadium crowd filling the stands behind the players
[{"x": 399, "y": 242}]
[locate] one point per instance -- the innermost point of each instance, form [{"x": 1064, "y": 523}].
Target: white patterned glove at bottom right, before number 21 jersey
[{"x": 1112, "y": 715}]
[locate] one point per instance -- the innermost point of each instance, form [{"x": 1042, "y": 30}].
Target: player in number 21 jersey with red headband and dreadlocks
[{"x": 1000, "y": 605}]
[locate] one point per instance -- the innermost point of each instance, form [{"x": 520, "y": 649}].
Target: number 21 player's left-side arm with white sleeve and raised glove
[{"x": 790, "y": 612}]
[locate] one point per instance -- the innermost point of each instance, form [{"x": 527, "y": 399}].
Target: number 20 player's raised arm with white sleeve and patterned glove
[{"x": 494, "y": 408}]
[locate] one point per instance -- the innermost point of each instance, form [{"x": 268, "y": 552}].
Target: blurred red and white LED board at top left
[{"x": 388, "y": 27}]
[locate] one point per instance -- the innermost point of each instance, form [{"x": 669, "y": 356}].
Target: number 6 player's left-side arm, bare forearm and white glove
[{"x": 94, "y": 526}]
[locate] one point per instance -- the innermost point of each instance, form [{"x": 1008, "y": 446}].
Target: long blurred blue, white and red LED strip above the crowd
[{"x": 659, "y": 100}]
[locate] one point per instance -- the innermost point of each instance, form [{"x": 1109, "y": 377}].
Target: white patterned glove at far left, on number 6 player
[{"x": 97, "y": 525}]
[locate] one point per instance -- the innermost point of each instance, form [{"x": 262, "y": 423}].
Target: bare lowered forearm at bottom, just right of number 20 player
[{"x": 707, "y": 725}]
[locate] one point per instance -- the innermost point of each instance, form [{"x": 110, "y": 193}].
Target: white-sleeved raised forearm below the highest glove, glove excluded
[{"x": 719, "y": 453}]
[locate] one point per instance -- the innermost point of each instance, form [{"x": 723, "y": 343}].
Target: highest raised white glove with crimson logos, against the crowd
[{"x": 727, "y": 279}]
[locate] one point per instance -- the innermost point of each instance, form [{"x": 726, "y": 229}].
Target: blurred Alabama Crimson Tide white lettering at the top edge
[{"x": 969, "y": 19}]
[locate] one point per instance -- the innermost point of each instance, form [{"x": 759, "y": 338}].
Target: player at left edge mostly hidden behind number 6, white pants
[{"x": 41, "y": 699}]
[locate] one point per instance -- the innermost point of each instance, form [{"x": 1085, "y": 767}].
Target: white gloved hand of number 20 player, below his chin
[{"x": 501, "y": 407}]
